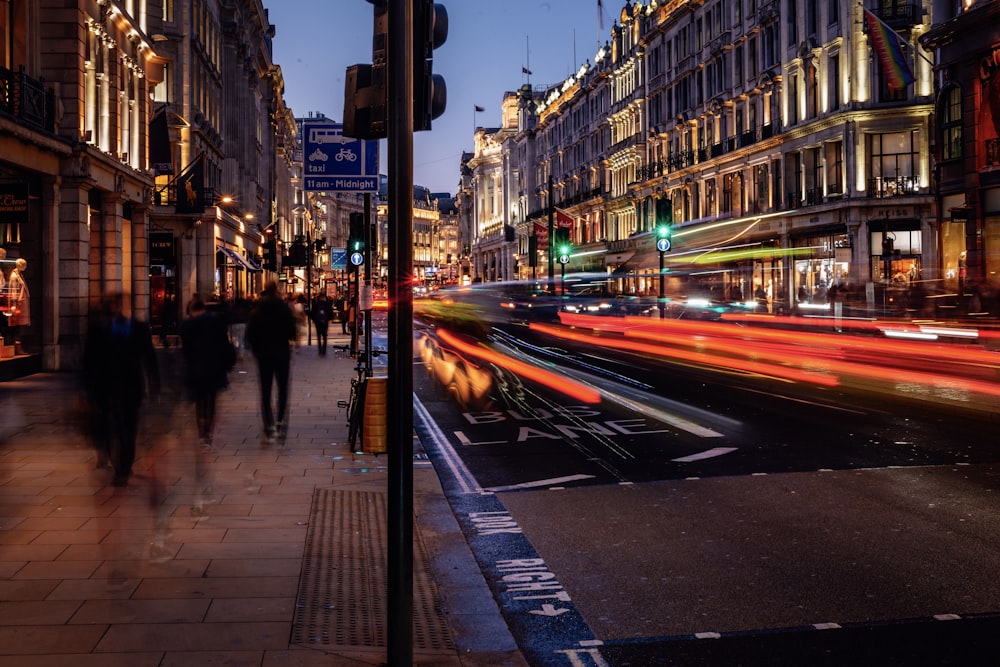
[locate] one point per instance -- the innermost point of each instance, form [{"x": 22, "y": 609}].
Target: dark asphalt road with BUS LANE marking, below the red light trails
[{"x": 707, "y": 518}]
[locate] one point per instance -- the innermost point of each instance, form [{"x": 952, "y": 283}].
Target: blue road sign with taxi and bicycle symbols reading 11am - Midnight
[{"x": 335, "y": 163}]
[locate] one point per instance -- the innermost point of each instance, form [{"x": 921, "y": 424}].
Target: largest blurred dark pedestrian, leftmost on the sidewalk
[{"x": 120, "y": 368}]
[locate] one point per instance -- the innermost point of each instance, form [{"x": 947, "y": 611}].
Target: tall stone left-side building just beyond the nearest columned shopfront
[{"x": 225, "y": 158}]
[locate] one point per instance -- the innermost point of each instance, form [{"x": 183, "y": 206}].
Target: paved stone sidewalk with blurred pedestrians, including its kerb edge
[{"x": 276, "y": 558}]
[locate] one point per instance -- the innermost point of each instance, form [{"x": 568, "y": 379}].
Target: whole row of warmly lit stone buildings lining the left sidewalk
[{"x": 107, "y": 109}]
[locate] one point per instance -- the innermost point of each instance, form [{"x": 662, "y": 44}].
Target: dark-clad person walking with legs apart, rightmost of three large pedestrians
[{"x": 271, "y": 330}]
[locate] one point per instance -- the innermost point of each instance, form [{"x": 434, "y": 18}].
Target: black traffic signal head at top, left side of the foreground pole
[{"x": 366, "y": 98}]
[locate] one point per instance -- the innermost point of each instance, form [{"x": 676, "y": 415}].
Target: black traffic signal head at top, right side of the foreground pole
[{"x": 430, "y": 95}]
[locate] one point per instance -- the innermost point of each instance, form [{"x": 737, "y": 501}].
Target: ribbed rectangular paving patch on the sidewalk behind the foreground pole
[{"x": 342, "y": 591}]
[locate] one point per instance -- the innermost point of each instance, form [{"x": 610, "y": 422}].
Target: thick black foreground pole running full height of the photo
[{"x": 399, "y": 428}]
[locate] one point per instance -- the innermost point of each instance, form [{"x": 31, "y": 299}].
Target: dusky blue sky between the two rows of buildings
[{"x": 489, "y": 41}]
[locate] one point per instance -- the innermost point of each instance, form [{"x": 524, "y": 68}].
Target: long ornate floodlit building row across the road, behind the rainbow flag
[{"x": 765, "y": 132}]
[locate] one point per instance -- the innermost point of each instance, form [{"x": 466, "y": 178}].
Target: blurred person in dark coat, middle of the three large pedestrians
[{"x": 208, "y": 357}]
